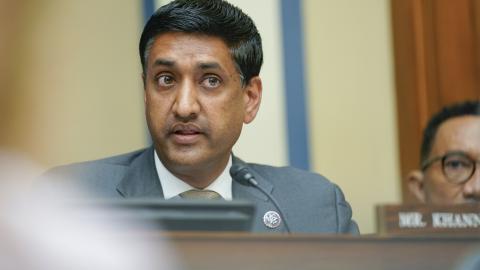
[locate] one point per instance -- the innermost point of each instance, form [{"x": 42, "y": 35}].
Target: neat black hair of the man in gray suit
[{"x": 213, "y": 18}]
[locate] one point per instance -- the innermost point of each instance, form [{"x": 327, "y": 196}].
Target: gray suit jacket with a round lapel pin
[{"x": 310, "y": 203}]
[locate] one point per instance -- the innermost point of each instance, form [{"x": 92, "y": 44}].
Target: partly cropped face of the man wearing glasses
[{"x": 460, "y": 134}]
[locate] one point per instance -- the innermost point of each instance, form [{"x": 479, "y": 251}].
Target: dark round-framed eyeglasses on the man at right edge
[{"x": 457, "y": 167}]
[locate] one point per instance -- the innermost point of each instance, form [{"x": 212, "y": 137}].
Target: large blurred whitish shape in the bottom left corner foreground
[{"x": 39, "y": 231}]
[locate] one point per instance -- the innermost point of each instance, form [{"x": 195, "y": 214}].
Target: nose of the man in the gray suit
[{"x": 186, "y": 106}]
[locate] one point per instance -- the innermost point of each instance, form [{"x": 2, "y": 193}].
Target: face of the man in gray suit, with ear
[{"x": 196, "y": 104}]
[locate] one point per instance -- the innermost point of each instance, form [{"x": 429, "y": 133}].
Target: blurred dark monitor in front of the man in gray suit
[{"x": 154, "y": 214}]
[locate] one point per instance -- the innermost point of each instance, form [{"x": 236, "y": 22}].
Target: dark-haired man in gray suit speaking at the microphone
[{"x": 201, "y": 62}]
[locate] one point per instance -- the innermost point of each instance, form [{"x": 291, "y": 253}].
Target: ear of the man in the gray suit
[{"x": 252, "y": 98}]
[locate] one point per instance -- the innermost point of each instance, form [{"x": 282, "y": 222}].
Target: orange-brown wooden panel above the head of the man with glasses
[{"x": 456, "y": 53}]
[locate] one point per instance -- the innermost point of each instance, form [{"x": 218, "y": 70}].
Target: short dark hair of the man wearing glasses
[{"x": 455, "y": 110}]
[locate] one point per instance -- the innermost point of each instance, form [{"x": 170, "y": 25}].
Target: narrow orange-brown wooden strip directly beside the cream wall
[{"x": 410, "y": 80}]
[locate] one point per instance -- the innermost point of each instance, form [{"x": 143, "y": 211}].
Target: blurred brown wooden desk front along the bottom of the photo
[{"x": 236, "y": 251}]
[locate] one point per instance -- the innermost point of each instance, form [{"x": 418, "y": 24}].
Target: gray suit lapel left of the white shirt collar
[{"x": 141, "y": 178}]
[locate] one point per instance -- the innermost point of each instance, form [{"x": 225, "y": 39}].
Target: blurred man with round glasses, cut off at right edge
[{"x": 450, "y": 157}]
